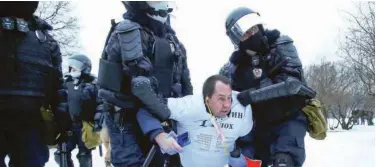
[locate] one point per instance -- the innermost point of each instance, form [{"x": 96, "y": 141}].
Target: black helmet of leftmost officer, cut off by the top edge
[{"x": 22, "y": 9}]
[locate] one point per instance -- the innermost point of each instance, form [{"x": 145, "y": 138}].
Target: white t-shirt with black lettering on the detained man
[{"x": 206, "y": 149}]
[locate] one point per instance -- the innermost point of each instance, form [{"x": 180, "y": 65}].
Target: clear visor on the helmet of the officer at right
[{"x": 244, "y": 28}]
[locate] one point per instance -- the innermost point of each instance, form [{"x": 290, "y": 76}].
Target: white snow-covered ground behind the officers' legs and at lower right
[{"x": 354, "y": 148}]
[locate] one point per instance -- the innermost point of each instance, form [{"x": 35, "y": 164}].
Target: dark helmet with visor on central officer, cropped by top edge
[{"x": 157, "y": 10}]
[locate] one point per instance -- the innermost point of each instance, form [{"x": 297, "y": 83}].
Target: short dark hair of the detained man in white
[{"x": 209, "y": 85}]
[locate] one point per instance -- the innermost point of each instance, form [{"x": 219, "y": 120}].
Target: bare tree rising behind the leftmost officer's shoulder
[{"x": 59, "y": 15}]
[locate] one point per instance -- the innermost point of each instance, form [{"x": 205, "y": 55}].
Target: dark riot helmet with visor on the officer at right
[{"x": 239, "y": 23}]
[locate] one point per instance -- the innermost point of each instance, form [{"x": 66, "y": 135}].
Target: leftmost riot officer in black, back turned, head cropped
[{"x": 31, "y": 78}]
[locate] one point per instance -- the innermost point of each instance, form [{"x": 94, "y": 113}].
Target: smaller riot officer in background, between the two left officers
[{"x": 82, "y": 102}]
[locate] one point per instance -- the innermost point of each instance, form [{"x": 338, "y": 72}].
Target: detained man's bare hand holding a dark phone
[{"x": 168, "y": 144}]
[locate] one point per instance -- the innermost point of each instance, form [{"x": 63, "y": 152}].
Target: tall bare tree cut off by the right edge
[{"x": 358, "y": 45}]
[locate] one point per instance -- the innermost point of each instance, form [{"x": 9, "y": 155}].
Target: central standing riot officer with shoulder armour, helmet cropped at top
[{"x": 143, "y": 44}]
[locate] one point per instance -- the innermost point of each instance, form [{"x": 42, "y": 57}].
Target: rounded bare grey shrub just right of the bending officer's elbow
[{"x": 338, "y": 92}]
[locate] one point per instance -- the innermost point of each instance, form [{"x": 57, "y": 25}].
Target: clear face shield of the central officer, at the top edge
[{"x": 160, "y": 10}]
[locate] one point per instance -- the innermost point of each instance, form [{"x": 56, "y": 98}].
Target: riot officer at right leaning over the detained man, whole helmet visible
[{"x": 263, "y": 60}]
